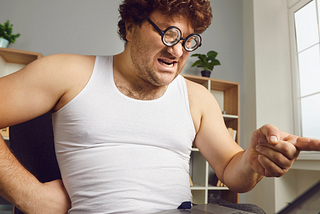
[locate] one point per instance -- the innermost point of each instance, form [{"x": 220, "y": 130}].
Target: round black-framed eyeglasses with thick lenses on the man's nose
[{"x": 172, "y": 35}]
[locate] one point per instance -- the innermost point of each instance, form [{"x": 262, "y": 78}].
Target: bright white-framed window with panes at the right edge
[{"x": 304, "y": 29}]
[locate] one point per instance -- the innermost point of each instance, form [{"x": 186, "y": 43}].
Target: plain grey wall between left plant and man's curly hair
[{"x": 59, "y": 26}]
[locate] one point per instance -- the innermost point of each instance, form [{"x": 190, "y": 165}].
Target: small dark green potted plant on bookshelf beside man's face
[{"x": 207, "y": 62}]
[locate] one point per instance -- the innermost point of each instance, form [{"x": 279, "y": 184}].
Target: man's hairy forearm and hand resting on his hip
[{"x": 23, "y": 190}]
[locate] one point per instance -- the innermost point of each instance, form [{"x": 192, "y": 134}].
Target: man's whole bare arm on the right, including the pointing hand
[{"x": 271, "y": 152}]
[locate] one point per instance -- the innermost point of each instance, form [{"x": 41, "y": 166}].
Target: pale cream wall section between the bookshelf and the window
[{"x": 268, "y": 65}]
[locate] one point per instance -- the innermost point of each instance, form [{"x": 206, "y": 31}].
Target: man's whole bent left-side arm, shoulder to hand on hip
[{"x": 26, "y": 94}]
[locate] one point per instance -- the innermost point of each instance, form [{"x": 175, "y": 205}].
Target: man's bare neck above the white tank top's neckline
[{"x": 130, "y": 84}]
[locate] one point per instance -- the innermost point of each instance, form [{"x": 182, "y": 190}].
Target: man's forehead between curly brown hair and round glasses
[{"x": 164, "y": 21}]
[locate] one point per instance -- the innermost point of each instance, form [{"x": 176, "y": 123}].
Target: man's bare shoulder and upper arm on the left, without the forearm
[{"x": 43, "y": 85}]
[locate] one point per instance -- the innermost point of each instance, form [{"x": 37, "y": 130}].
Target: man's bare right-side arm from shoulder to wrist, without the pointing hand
[{"x": 216, "y": 144}]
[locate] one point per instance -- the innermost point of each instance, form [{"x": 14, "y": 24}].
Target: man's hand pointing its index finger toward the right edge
[{"x": 273, "y": 152}]
